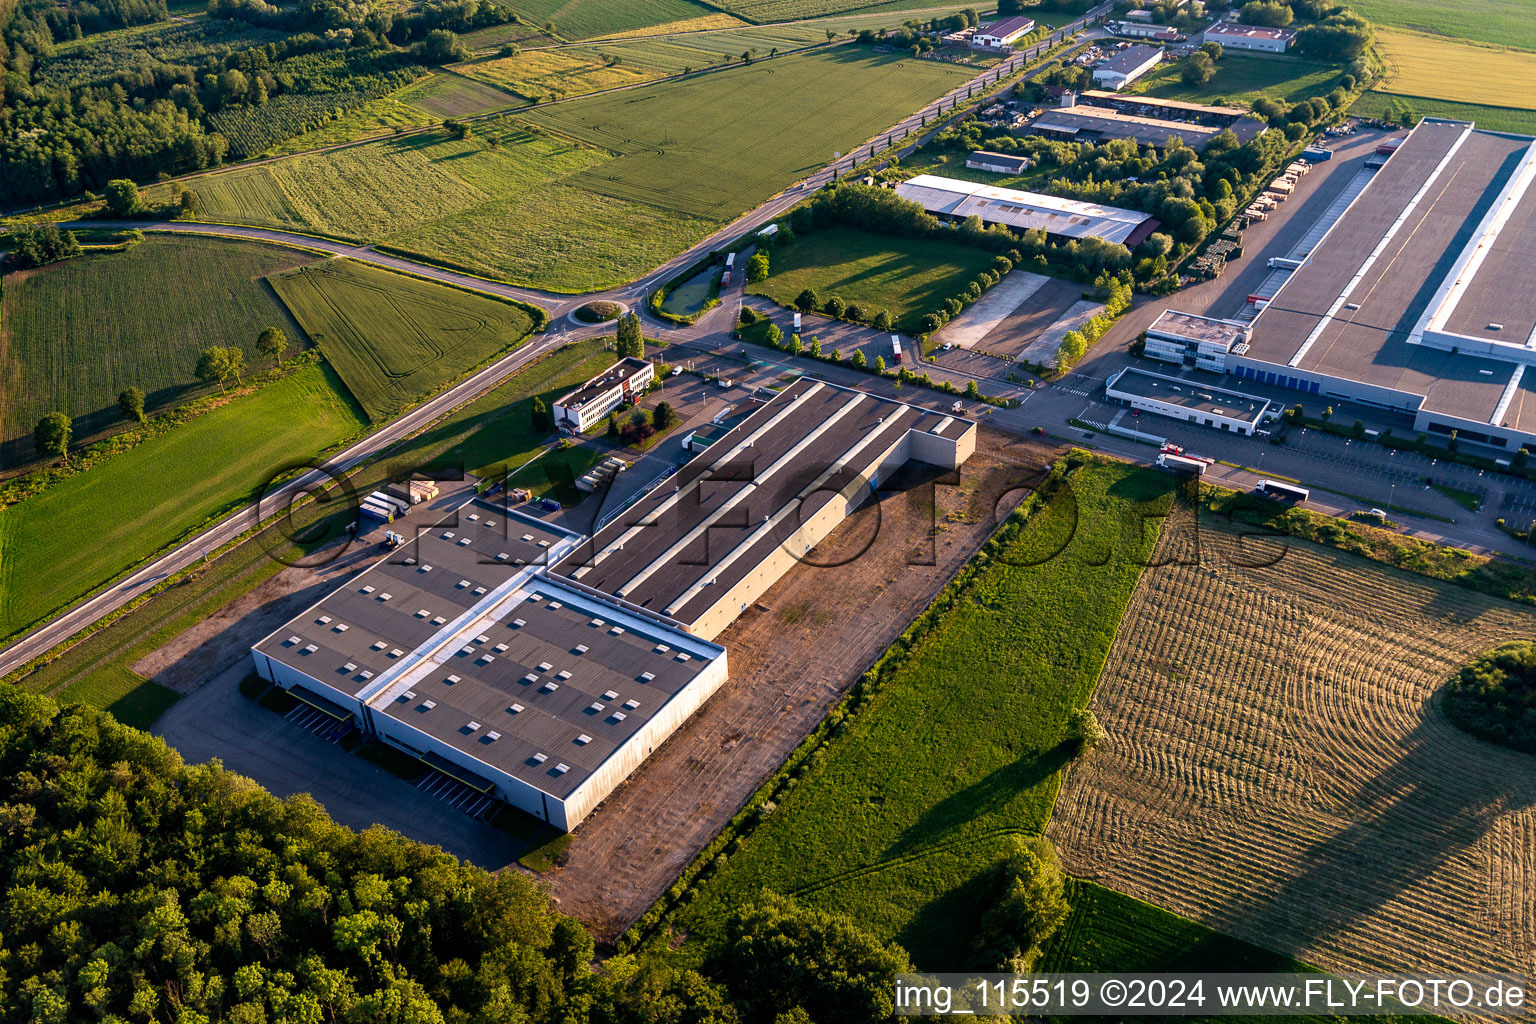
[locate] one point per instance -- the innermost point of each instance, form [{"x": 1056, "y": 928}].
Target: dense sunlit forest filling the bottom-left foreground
[{"x": 137, "y": 888}]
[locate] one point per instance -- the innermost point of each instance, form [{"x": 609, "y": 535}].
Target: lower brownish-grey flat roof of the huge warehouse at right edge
[{"x": 1351, "y": 309}]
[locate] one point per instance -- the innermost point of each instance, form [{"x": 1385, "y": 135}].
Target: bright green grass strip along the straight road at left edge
[{"x": 74, "y": 537}]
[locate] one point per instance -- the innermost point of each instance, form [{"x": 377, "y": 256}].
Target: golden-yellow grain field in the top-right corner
[{"x": 1432, "y": 67}]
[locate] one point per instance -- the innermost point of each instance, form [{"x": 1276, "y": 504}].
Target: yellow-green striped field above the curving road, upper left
[{"x": 506, "y": 213}]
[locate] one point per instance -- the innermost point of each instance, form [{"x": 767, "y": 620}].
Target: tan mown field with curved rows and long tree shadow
[{"x": 1279, "y": 767}]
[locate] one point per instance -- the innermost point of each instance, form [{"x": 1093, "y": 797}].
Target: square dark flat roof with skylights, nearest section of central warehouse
[{"x": 549, "y": 672}]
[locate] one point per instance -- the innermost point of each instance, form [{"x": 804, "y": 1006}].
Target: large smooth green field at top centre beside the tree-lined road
[{"x": 787, "y": 117}]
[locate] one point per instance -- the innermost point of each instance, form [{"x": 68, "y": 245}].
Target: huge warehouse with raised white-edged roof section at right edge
[{"x": 1420, "y": 299}]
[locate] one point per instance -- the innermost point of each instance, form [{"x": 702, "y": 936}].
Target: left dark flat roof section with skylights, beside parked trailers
[{"x": 360, "y": 632}]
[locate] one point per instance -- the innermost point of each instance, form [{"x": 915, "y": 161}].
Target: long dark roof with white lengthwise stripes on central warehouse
[{"x": 675, "y": 550}]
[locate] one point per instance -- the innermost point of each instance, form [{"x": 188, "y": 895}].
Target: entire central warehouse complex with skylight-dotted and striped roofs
[{"x": 541, "y": 669}]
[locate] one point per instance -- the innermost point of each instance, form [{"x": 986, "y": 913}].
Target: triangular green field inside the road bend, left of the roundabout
[{"x": 392, "y": 339}]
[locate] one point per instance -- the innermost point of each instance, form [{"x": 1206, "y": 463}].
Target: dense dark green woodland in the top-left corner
[{"x": 78, "y": 111}]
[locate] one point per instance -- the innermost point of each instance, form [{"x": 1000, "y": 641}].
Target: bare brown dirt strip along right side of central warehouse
[{"x": 792, "y": 656}]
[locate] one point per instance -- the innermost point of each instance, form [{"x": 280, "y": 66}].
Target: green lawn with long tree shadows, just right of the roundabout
[{"x": 909, "y": 277}]
